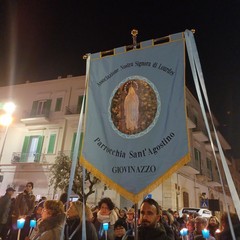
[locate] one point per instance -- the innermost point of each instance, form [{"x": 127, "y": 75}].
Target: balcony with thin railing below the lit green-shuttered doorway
[{"x": 30, "y": 157}]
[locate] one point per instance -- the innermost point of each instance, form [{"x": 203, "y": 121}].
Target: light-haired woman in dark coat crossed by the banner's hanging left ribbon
[{"x": 73, "y": 229}]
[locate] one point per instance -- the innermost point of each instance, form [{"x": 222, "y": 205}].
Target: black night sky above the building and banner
[{"x": 43, "y": 39}]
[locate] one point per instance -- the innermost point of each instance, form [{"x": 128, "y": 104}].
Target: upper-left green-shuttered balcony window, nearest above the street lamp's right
[{"x": 41, "y": 107}]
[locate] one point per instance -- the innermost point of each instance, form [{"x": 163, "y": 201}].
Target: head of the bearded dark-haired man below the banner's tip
[{"x": 149, "y": 213}]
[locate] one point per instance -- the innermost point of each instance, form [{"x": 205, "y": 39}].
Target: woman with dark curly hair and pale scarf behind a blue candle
[{"x": 106, "y": 214}]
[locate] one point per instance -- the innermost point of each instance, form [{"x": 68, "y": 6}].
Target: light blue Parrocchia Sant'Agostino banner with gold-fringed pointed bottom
[{"x": 135, "y": 133}]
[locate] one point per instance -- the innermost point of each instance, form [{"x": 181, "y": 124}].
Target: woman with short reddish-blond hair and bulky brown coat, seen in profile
[{"x": 51, "y": 224}]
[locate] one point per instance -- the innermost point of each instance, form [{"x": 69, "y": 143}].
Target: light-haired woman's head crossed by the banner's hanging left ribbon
[{"x": 75, "y": 210}]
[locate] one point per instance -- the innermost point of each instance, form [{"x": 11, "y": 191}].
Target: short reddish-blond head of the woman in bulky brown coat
[{"x": 52, "y": 208}]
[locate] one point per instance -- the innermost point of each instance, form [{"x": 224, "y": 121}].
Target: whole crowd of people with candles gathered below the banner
[{"x": 63, "y": 220}]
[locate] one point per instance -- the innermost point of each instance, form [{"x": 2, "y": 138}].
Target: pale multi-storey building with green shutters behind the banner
[{"x": 45, "y": 124}]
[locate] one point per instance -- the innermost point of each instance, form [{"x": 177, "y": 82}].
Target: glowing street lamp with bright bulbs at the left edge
[{"x": 5, "y": 120}]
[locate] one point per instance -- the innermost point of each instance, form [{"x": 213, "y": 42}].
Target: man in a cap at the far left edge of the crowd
[{"x": 5, "y": 205}]
